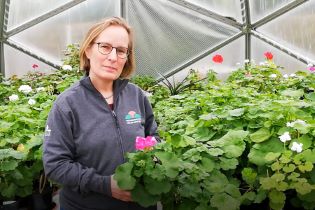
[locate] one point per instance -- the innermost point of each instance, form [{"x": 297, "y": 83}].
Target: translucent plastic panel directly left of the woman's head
[{"x": 50, "y": 38}]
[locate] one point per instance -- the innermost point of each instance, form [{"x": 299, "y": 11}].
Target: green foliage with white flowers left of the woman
[{"x": 22, "y": 124}]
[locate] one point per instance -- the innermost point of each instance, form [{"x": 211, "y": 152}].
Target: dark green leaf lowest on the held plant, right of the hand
[{"x": 143, "y": 197}]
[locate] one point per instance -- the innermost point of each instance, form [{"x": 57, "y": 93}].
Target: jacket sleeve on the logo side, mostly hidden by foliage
[{"x": 150, "y": 124}]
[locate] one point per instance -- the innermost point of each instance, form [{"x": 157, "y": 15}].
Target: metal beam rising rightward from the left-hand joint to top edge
[{"x": 43, "y": 17}]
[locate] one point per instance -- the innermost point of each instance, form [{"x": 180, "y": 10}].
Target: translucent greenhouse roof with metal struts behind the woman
[{"x": 171, "y": 35}]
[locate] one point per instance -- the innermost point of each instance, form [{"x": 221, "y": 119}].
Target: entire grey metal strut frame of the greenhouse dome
[{"x": 246, "y": 28}]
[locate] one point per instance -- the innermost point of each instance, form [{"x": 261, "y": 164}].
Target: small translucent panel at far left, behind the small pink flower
[{"x": 18, "y": 63}]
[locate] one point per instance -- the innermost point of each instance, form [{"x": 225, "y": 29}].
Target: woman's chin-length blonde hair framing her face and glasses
[{"x": 95, "y": 31}]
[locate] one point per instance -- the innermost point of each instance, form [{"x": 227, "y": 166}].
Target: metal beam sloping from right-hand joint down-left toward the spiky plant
[{"x": 206, "y": 53}]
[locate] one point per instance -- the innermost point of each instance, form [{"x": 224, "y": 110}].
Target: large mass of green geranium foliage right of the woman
[{"x": 223, "y": 147}]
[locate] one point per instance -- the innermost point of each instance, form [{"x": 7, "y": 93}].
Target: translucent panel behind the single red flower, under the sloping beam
[{"x": 233, "y": 56}]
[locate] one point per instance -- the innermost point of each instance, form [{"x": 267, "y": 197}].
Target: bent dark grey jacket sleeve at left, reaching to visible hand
[{"x": 59, "y": 157}]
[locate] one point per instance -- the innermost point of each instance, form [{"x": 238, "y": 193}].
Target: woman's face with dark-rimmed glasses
[{"x": 105, "y": 64}]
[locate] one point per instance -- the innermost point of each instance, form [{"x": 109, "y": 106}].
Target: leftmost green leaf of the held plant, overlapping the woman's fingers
[{"x": 123, "y": 176}]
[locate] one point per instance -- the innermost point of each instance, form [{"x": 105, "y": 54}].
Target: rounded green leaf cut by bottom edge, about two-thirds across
[{"x": 223, "y": 201}]
